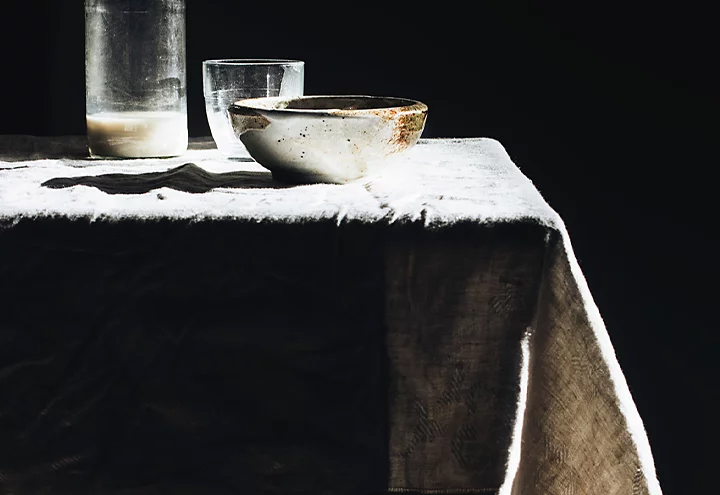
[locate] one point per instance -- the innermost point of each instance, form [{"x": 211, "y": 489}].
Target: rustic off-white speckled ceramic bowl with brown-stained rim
[{"x": 333, "y": 139}]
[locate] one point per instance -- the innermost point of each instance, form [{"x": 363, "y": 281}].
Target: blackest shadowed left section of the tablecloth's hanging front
[{"x": 168, "y": 357}]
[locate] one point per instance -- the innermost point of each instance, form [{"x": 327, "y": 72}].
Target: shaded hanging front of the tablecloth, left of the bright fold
[{"x": 236, "y": 357}]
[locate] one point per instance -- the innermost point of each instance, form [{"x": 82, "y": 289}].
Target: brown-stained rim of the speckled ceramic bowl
[{"x": 261, "y": 105}]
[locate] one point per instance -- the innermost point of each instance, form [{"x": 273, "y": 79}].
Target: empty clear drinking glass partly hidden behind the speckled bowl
[{"x": 226, "y": 81}]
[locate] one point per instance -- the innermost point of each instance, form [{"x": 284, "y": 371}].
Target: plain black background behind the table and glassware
[{"x": 610, "y": 108}]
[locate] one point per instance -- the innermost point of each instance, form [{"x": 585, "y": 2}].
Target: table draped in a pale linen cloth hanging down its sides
[{"x": 188, "y": 325}]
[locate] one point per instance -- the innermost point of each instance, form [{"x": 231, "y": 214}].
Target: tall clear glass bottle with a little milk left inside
[{"x": 135, "y": 78}]
